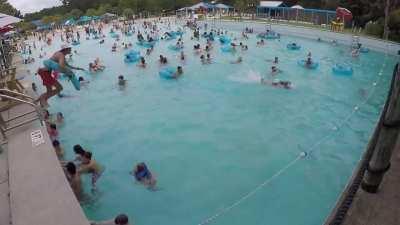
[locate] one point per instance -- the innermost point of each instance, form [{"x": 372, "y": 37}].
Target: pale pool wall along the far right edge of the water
[{"x": 379, "y": 45}]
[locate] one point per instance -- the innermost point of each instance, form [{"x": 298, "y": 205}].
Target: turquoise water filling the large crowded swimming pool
[{"x": 215, "y": 135}]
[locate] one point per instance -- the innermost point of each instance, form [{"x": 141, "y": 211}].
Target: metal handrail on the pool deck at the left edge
[{"x": 22, "y": 99}]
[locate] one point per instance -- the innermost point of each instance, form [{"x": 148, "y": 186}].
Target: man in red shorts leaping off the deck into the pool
[{"x": 56, "y": 63}]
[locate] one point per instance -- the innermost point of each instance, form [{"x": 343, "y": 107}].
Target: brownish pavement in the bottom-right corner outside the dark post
[{"x": 382, "y": 208}]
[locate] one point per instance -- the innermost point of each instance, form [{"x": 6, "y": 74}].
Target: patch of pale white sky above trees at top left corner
[{"x": 28, "y": 6}]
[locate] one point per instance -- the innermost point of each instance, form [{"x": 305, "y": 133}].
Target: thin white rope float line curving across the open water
[{"x": 300, "y": 156}]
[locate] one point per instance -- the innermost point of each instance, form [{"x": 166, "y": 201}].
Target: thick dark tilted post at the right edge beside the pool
[{"x": 387, "y": 138}]
